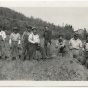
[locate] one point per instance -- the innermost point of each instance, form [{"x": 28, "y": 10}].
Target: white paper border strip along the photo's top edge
[{"x": 44, "y": 3}]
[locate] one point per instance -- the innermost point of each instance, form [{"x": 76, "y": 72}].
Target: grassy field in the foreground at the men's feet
[{"x": 55, "y": 69}]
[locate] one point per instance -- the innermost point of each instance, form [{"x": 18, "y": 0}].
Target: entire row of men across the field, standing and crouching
[{"x": 31, "y": 43}]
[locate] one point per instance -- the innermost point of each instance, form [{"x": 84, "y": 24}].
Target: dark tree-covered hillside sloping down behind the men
[{"x": 10, "y": 18}]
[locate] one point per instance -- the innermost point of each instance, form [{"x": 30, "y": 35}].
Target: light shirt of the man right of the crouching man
[{"x": 77, "y": 44}]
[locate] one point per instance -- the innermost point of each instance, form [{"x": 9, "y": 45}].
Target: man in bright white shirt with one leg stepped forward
[{"x": 34, "y": 41}]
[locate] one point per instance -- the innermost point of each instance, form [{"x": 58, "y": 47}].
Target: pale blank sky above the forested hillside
[{"x": 75, "y": 16}]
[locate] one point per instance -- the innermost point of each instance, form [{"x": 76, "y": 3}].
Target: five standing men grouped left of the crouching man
[{"x": 30, "y": 42}]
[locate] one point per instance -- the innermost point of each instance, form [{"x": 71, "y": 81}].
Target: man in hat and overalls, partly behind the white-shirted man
[{"x": 25, "y": 42}]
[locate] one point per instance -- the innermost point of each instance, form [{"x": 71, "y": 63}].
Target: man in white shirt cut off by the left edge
[{"x": 2, "y": 42}]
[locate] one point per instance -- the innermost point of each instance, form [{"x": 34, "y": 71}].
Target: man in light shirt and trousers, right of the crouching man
[{"x": 75, "y": 45}]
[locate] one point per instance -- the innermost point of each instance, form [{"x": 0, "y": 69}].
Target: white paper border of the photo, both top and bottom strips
[{"x": 16, "y": 3}]
